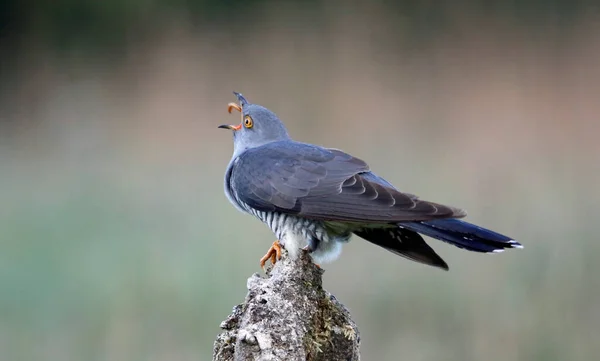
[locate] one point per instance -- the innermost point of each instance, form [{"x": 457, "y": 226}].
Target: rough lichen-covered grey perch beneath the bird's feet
[{"x": 288, "y": 316}]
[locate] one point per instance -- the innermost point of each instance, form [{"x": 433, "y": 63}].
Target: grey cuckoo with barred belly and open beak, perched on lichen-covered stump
[{"x": 315, "y": 198}]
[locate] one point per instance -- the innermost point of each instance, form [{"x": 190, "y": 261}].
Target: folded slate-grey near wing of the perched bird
[{"x": 325, "y": 184}]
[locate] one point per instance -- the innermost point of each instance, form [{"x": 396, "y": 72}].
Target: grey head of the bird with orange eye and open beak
[{"x": 259, "y": 125}]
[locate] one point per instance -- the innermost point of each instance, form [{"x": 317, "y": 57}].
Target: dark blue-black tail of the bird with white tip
[{"x": 463, "y": 234}]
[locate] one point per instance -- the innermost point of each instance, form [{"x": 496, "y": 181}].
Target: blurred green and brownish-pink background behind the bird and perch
[{"x": 117, "y": 243}]
